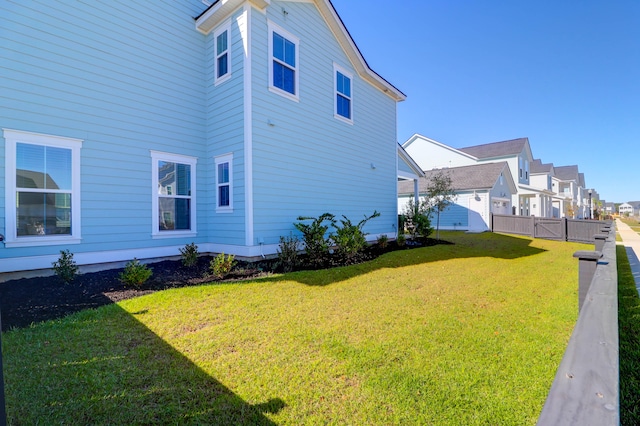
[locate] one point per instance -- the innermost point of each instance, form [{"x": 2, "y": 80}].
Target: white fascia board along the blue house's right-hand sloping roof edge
[{"x": 357, "y": 60}]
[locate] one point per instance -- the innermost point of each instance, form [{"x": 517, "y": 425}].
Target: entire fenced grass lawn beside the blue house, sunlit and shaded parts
[{"x": 463, "y": 334}]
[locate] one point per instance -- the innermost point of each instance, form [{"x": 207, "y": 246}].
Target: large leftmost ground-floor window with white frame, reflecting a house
[{"x": 42, "y": 189}]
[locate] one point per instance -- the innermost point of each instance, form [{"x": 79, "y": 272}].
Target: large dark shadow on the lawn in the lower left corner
[{"x": 105, "y": 367}]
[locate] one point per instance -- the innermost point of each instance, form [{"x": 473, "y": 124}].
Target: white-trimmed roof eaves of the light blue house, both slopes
[{"x": 220, "y": 9}]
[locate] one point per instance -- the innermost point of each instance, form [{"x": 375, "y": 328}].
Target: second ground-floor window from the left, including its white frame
[{"x": 174, "y": 204}]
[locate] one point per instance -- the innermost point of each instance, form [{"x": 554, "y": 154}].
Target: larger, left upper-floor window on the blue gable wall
[{"x": 283, "y": 67}]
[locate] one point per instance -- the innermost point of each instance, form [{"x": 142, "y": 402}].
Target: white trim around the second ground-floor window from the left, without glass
[{"x": 157, "y": 156}]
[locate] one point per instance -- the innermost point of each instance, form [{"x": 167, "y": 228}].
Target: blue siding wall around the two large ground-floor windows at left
[{"x": 126, "y": 78}]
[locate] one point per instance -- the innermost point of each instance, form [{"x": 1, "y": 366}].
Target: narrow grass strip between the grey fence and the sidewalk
[{"x": 629, "y": 330}]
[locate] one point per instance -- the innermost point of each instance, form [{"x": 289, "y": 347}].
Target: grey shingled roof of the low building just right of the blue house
[{"x": 465, "y": 178}]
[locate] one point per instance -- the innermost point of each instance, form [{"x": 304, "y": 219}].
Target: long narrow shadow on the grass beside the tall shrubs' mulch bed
[{"x": 464, "y": 246}]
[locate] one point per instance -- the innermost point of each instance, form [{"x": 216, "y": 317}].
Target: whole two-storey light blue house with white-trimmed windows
[{"x": 130, "y": 129}]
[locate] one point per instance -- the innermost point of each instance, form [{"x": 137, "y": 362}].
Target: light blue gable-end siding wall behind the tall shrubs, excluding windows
[{"x": 304, "y": 141}]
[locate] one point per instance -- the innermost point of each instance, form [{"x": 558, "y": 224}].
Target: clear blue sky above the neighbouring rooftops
[{"x": 565, "y": 74}]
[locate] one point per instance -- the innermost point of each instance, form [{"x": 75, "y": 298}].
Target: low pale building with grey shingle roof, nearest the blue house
[{"x": 481, "y": 189}]
